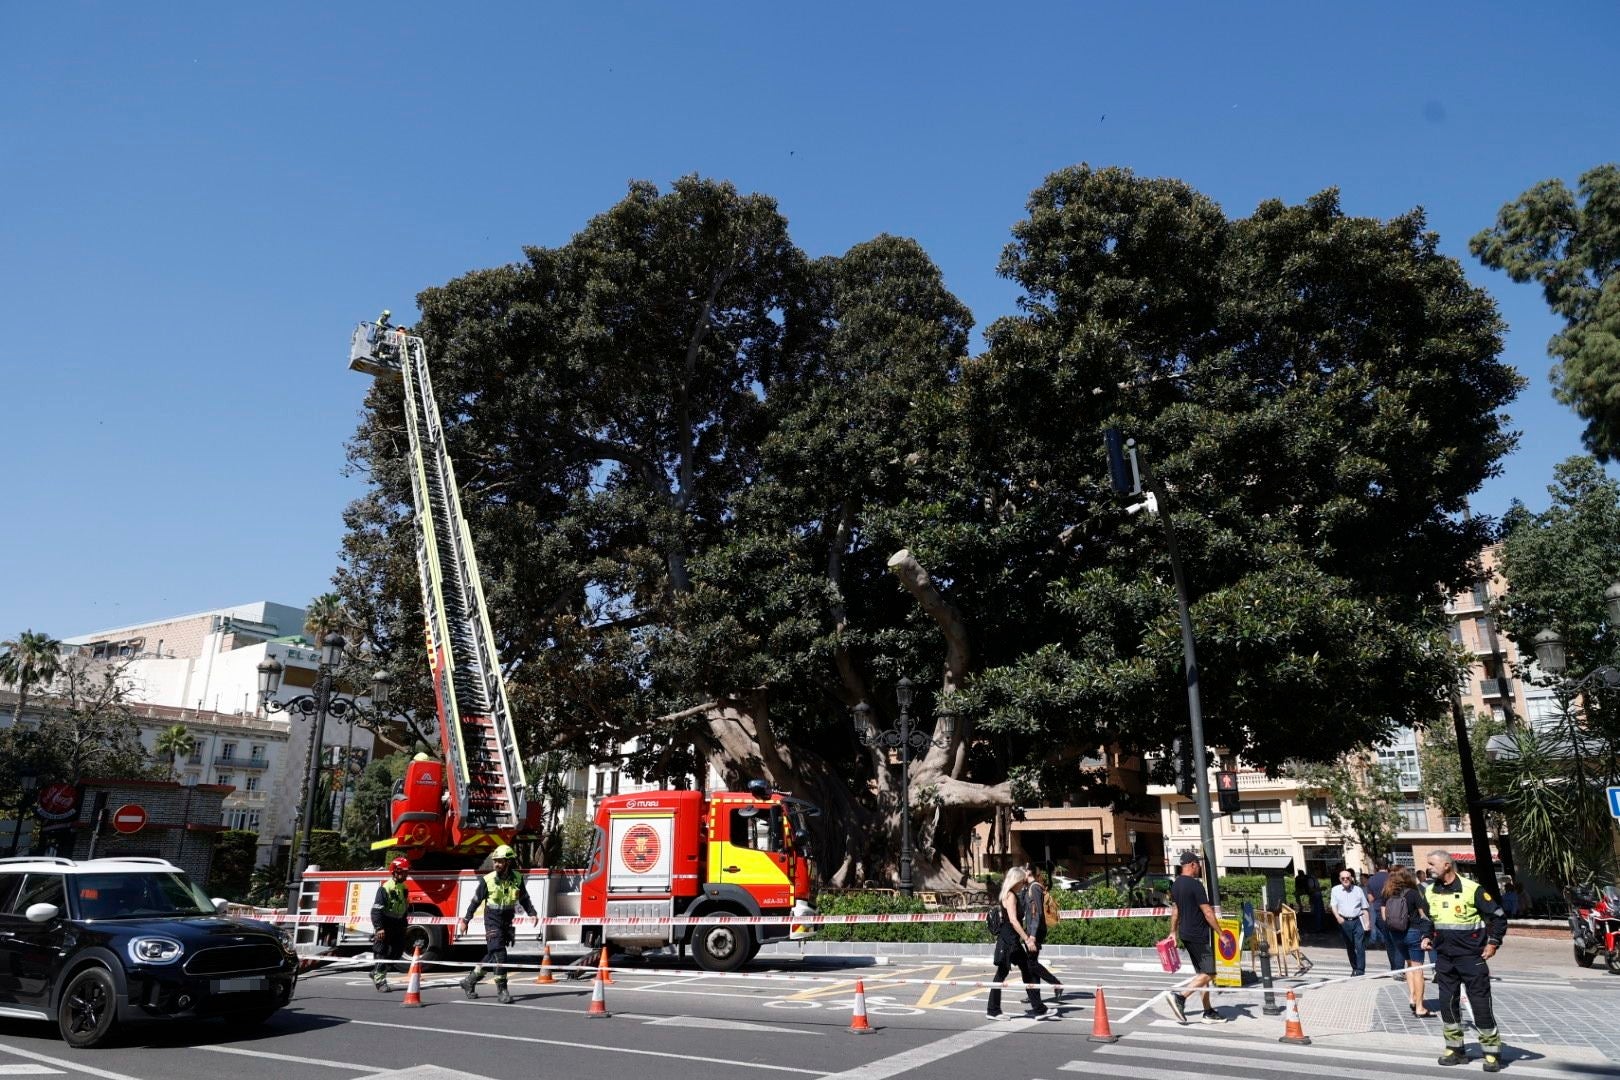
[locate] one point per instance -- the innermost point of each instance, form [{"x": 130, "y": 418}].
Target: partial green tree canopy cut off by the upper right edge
[{"x": 1569, "y": 242}]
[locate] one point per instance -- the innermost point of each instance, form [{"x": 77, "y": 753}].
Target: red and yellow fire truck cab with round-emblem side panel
[{"x": 683, "y": 854}]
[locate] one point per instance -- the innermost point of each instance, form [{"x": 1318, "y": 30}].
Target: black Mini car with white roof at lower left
[{"x": 98, "y": 943}]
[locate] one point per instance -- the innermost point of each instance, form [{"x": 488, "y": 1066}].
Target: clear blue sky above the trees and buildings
[{"x": 202, "y": 200}]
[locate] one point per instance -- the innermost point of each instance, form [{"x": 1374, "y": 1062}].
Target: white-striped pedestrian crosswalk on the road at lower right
[{"x": 1154, "y": 1055}]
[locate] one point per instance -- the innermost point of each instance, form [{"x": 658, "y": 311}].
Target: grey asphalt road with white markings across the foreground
[{"x": 785, "y": 1024}]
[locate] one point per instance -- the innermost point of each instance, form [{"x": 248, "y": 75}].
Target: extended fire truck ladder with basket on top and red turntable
[{"x": 477, "y": 799}]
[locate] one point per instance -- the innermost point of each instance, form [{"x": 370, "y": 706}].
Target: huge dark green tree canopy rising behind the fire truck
[{"x": 725, "y": 493}]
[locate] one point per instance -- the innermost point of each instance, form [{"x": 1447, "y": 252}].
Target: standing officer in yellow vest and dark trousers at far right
[{"x": 1469, "y": 930}]
